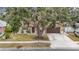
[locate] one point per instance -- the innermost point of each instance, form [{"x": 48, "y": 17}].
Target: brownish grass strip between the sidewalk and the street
[{"x": 24, "y": 45}]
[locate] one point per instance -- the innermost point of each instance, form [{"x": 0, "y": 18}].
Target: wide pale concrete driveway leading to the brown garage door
[{"x": 61, "y": 41}]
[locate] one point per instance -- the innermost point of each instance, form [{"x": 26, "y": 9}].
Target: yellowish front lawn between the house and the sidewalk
[{"x": 25, "y": 37}]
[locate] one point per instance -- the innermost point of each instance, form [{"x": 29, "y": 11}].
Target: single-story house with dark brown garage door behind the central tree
[{"x": 32, "y": 29}]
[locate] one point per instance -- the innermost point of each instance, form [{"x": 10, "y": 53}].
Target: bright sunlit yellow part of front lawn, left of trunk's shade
[{"x": 22, "y": 37}]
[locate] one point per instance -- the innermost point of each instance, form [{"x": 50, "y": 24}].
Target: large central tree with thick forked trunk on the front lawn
[{"x": 42, "y": 19}]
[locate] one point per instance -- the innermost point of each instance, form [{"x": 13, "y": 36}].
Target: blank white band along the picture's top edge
[{"x": 39, "y": 3}]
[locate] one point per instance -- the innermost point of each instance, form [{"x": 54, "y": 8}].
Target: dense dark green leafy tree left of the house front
[{"x": 16, "y": 17}]
